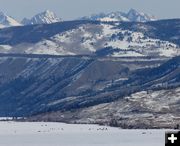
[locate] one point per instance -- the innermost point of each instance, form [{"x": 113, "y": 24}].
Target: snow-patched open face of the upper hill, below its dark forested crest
[{"x": 98, "y": 38}]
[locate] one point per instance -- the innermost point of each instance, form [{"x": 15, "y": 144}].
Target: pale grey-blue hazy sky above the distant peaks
[{"x": 71, "y": 9}]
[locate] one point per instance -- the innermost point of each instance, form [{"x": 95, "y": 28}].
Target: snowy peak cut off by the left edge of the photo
[{"x": 7, "y": 21}]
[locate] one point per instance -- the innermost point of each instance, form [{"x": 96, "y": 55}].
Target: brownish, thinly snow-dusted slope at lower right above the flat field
[{"x": 145, "y": 109}]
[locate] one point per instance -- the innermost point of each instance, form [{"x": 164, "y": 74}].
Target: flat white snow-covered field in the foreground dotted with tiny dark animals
[{"x": 60, "y": 134}]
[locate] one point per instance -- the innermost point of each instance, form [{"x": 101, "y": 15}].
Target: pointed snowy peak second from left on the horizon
[{"x": 46, "y": 17}]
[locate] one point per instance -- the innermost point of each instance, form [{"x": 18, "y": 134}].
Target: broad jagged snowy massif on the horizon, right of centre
[{"x": 132, "y": 16}]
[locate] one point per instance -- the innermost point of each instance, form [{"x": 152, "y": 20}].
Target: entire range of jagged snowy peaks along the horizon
[{"x": 48, "y": 17}]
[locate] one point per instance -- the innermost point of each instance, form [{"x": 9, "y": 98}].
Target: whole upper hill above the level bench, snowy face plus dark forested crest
[{"x": 115, "y": 39}]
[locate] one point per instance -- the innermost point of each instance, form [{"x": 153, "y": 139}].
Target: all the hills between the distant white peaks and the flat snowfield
[{"x": 124, "y": 74}]
